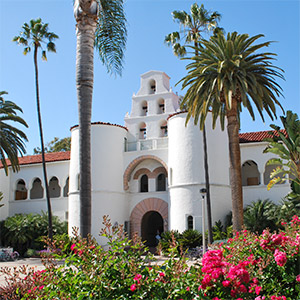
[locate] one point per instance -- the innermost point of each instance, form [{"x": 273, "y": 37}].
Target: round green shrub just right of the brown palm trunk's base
[{"x": 260, "y": 215}]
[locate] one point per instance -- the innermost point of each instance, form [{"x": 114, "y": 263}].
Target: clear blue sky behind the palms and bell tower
[{"x": 148, "y": 23}]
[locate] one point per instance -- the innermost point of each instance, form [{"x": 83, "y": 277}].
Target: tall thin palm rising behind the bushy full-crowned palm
[{"x": 192, "y": 26}]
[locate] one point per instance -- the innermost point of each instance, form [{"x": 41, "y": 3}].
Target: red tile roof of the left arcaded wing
[{"x": 36, "y": 159}]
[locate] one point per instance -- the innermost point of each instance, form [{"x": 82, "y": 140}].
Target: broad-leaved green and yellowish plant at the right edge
[{"x": 286, "y": 145}]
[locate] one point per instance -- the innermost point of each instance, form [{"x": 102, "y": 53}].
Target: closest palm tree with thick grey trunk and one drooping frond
[{"x": 99, "y": 24}]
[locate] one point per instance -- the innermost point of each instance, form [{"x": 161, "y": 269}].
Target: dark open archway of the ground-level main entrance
[{"x": 152, "y": 222}]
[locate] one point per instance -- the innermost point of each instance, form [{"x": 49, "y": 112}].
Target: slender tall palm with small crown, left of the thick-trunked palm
[{"x": 34, "y": 35}]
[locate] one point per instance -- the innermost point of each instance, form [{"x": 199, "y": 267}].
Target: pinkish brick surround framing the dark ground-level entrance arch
[{"x": 150, "y": 204}]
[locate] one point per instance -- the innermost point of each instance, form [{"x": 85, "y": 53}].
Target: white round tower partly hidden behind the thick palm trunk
[{"x": 108, "y": 197}]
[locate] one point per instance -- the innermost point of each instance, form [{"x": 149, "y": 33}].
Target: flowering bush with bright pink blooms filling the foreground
[{"x": 248, "y": 266}]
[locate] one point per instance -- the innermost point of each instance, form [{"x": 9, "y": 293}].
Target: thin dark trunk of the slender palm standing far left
[{"x": 50, "y": 228}]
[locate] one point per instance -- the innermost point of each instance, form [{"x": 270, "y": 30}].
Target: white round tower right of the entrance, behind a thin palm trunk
[{"x": 187, "y": 176}]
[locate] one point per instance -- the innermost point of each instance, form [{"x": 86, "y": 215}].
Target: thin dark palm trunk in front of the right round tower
[{"x": 208, "y": 203}]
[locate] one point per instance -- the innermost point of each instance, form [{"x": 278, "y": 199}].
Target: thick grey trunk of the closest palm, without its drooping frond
[{"x": 85, "y": 31}]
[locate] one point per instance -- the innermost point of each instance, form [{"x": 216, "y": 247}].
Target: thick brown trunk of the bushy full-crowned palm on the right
[{"x": 235, "y": 167}]
